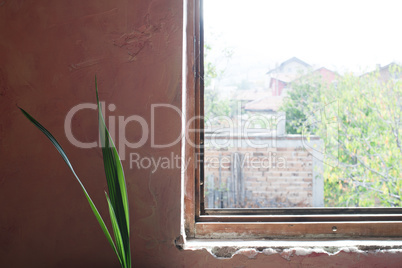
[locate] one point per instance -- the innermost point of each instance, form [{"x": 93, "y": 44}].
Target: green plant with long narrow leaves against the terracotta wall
[{"x": 117, "y": 198}]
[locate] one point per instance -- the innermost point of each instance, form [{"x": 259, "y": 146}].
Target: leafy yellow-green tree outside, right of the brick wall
[{"x": 366, "y": 142}]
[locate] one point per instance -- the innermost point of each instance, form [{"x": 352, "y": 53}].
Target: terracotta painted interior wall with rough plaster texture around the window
[{"x": 50, "y": 52}]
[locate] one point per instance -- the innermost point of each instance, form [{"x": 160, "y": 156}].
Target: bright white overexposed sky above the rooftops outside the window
[{"x": 337, "y": 34}]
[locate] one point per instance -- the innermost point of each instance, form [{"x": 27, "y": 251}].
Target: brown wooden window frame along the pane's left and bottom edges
[{"x": 289, "y": 223}]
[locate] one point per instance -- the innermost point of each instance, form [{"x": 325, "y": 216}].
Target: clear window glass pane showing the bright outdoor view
[{"x": 303, "y": 104}]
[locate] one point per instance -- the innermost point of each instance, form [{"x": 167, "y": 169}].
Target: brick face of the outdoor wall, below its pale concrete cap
[{"x": 273, "y": 177}]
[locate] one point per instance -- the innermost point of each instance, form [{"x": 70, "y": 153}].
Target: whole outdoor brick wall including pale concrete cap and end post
[{"x": 283, "y": 174}]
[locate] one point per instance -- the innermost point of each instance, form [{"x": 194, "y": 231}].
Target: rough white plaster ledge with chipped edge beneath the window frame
[{"x": 226, "y": 249}]
